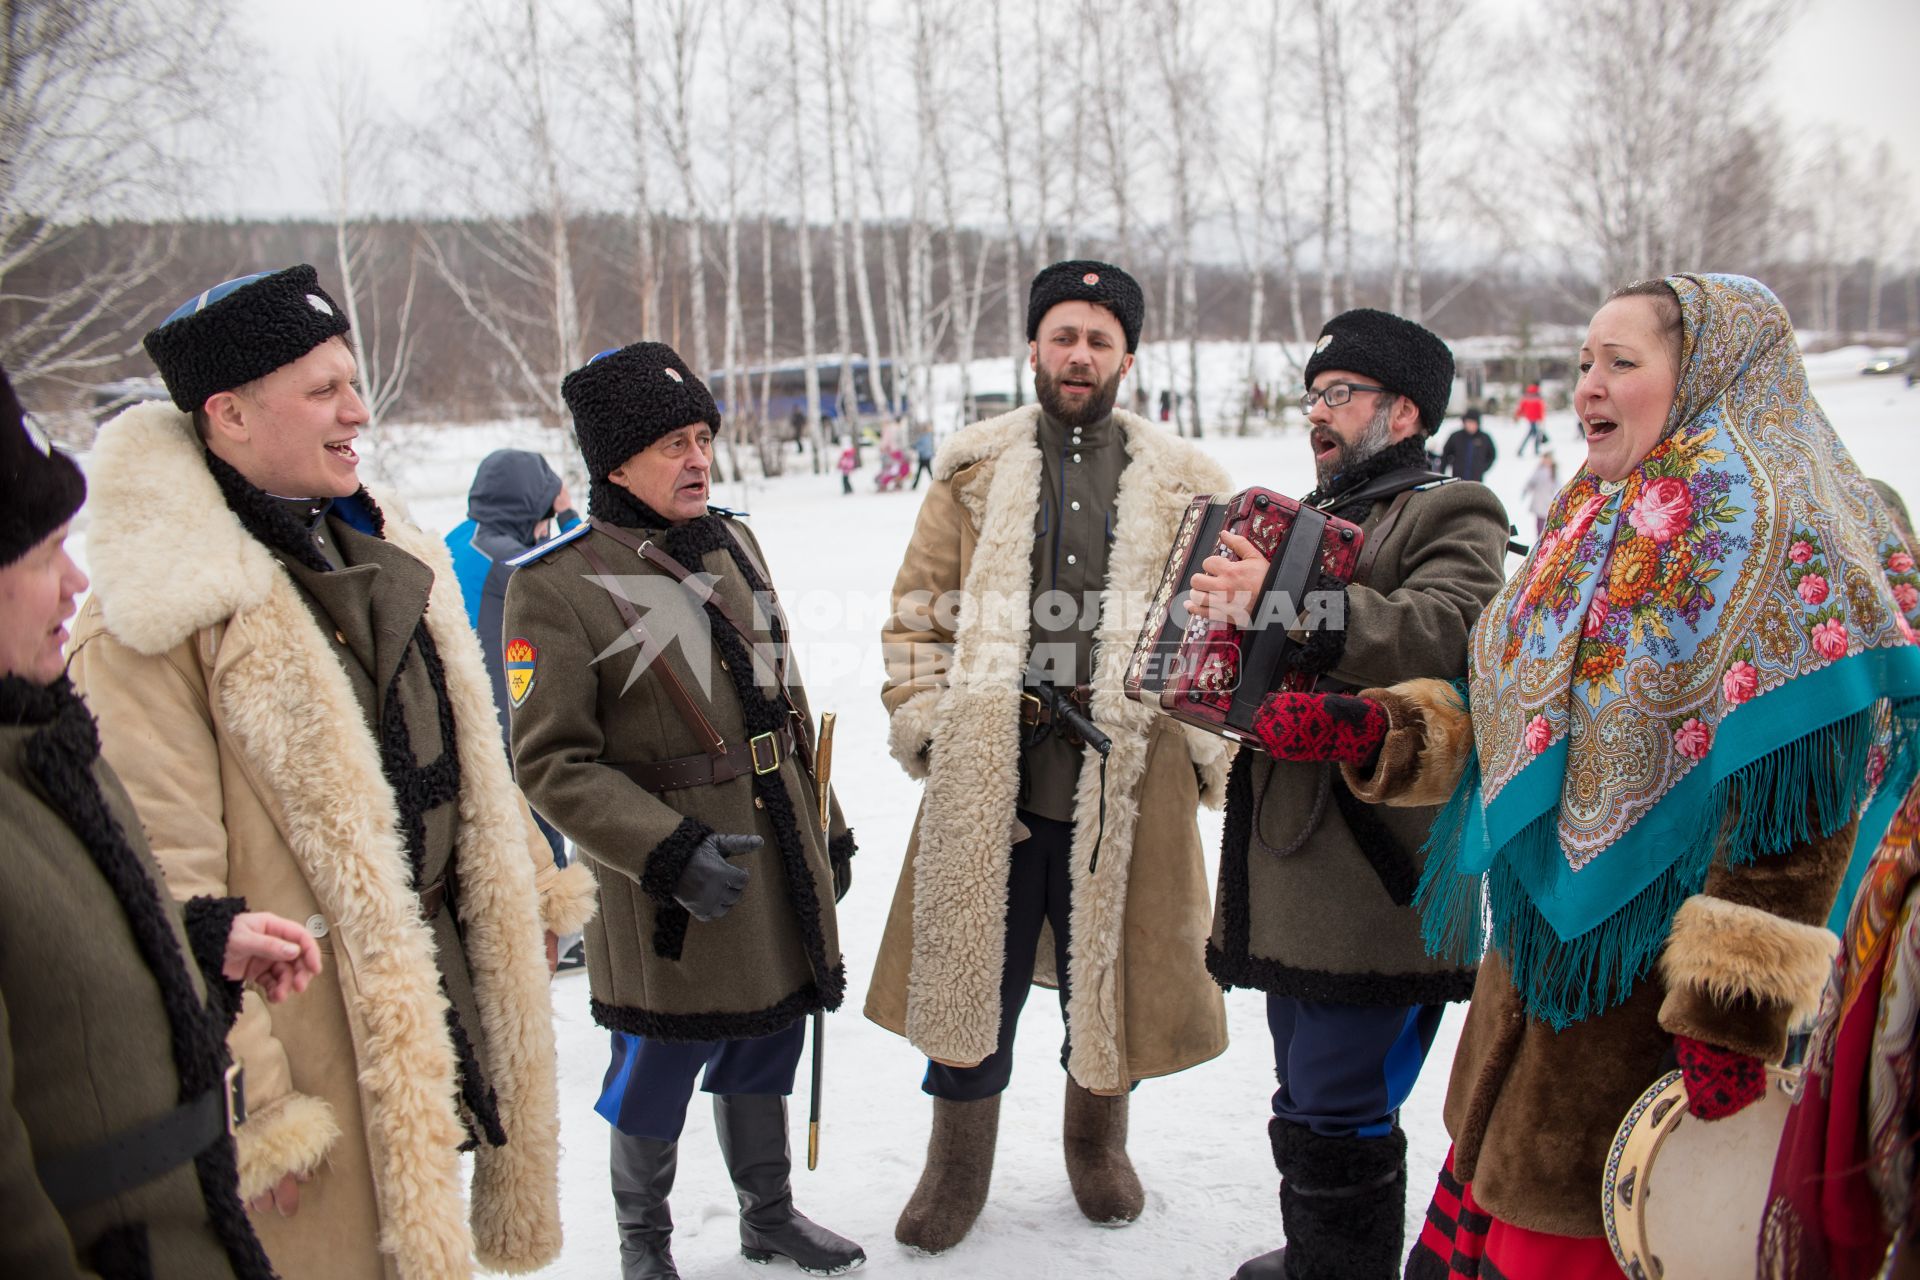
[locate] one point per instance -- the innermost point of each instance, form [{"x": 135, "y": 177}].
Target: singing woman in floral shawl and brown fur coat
[{"x": 1677, "y": 709}]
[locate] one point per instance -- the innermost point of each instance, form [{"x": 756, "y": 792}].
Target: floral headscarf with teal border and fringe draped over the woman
[{"x": 1691, "y": 661}]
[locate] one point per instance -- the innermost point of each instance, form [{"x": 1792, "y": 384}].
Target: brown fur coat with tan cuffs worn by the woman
[{"x": 1533, "y": 1110}]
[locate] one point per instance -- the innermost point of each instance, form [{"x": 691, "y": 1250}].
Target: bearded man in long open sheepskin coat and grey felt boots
[{"x": 1036, "y": 859}]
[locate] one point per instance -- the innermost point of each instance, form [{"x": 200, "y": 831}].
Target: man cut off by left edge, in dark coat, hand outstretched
[{"x": 116, "y": 1120}]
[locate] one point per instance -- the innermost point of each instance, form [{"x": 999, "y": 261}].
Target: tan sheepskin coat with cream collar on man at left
[{"x": 233, "y": 721}]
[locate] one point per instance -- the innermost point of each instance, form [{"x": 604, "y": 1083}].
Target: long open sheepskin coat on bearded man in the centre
[{"x": 1141, "y": 999}]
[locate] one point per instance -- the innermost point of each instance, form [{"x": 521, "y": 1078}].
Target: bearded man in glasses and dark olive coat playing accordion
[{"x": 1316, "y": 888}]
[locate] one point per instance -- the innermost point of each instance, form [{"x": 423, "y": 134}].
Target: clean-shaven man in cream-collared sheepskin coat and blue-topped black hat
[{"x": 293, "y": 696}]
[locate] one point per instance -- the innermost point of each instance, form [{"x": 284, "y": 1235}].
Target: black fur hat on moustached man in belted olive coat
[{"x": 627, "y": 398}]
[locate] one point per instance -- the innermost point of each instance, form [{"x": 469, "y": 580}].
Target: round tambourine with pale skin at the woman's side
[{"x": 1683, "y": 1198}]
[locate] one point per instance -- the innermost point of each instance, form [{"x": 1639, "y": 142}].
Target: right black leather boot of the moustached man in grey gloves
[{"x": 754, "y": 1139}]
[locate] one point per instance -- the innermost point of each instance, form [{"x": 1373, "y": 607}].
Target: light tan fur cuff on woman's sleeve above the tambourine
[{"x": 1733, "y": 953}]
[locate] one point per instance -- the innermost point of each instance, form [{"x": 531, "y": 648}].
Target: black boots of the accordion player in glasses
[{"x": 1343, "y": 1204}]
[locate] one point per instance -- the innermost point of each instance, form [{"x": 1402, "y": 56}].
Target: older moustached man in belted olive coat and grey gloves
[{"x": 660, "y": 723}]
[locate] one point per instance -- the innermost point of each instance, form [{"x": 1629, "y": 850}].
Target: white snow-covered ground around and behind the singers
[{"x": 1199, "y": 1139}]
